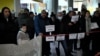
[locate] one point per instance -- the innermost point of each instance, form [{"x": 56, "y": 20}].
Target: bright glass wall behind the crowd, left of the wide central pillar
[{"x": 33, "y": 5}]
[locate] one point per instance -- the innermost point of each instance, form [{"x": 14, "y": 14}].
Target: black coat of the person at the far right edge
[{"x": 96, "y": 35}]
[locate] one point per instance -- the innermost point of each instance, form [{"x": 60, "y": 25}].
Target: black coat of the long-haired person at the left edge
[{"x": 8, "y": 31}]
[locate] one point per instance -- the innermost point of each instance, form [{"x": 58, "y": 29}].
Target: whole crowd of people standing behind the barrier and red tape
[{"x": 23, "y": 27}]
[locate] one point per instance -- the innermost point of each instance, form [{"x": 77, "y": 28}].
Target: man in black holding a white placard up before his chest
[{"x": 70, "y": 27}]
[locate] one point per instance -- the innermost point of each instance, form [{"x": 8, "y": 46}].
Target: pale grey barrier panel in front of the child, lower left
[{"x": 31, "y": 48}]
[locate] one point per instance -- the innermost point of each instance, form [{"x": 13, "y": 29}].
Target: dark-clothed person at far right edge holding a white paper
[{"x": 95, "y": 36}]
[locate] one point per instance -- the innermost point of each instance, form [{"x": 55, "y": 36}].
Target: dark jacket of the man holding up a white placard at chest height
[{"x": 70, "y": 29}]
